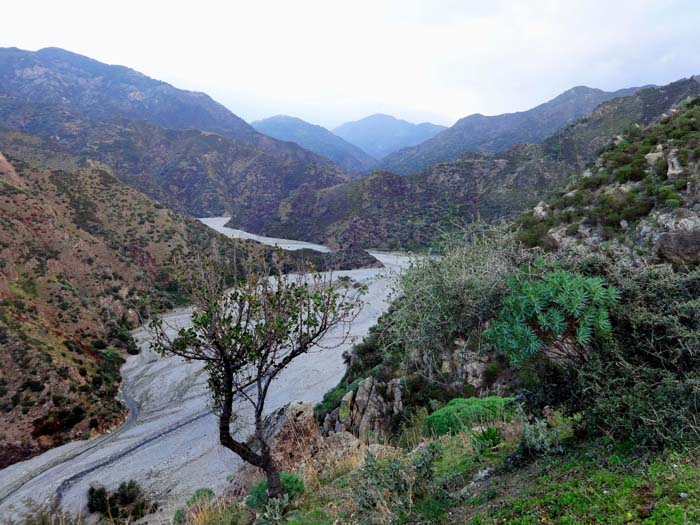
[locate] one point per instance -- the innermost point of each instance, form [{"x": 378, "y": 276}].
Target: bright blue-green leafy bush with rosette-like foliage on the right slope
[{"x": 558, "y": 313}]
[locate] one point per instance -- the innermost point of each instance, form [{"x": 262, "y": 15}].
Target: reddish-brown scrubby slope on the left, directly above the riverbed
[{"x": 81, "y": 258}]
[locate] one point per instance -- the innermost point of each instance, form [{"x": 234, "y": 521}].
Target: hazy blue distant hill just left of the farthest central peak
[{"x": 316, "y": 139}]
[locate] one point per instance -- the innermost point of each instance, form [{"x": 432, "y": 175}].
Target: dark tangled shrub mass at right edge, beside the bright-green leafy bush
[{"x": 644, "y": 385}]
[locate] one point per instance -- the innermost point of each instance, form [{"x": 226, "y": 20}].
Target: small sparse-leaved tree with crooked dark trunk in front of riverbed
[{"x": 248, "y": 334}]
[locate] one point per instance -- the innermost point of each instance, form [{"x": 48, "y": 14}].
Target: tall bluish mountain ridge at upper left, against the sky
[{"x": 102, "y": 91}]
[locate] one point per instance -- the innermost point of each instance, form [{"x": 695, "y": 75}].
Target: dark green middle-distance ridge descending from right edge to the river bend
[{"x": 386, "y": 211}]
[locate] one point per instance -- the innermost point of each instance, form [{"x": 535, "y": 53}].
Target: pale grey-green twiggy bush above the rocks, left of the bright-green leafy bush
[{"x": 440, "y": 299}]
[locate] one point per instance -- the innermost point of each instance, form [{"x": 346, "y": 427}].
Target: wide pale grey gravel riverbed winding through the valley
[{"x": 169, "y": 442}]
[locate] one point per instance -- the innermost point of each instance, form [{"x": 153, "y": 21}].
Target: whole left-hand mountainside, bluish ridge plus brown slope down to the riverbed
[{"x": 97, "y": 164}]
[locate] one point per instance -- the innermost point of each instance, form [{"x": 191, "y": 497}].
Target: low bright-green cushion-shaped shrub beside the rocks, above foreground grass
[{"x": 462, "y": 414}]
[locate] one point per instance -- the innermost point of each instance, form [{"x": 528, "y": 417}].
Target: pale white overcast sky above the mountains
[{"x": 329, "y": 61}]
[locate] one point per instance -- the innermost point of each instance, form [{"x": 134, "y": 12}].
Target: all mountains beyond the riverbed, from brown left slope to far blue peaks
[{"x": 102, "y": 169}]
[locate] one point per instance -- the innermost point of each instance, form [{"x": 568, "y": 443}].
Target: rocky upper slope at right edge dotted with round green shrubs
[{"x": 630, "y": 182}]
